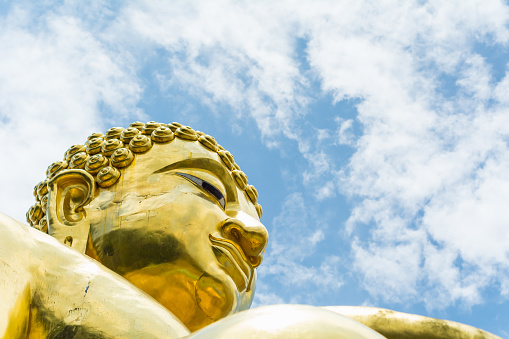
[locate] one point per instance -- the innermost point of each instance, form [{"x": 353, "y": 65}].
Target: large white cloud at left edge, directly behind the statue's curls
[{"x": 54, "y": 76}]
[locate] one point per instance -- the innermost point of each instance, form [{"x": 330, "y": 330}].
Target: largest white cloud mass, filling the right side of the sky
[{"x": 428, "y": 174}]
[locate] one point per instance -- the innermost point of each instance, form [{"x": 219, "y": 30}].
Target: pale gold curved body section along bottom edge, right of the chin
[{"x": 299, "y": 321}]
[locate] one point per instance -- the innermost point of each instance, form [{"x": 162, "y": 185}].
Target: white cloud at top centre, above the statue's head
[{"x": 227, "y": 52}]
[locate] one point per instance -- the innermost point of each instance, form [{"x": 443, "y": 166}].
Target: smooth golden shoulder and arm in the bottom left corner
[{"x": 49, "y": 289}]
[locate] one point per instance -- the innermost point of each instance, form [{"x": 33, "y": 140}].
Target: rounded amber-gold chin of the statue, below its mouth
[{"x": 216, "y": 298}]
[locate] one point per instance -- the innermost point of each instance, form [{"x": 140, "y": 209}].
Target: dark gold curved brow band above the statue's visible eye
[{"x": 210, "y": 165}]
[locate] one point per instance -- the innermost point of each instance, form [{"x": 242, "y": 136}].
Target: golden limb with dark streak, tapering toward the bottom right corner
[{"x": 396, "y": 325}]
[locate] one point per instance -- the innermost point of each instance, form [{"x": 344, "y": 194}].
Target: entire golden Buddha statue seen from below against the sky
[{"x": 154, "y": 232}]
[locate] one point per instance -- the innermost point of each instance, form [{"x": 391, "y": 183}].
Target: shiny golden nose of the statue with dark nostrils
[{"x": 249, "y": 234}]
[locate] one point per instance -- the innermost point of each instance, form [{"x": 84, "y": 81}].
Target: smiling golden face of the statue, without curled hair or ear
[{"x": 177, "y": 226}]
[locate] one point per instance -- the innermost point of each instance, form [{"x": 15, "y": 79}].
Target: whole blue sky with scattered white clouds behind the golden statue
[{"x": 375, "y": 132}]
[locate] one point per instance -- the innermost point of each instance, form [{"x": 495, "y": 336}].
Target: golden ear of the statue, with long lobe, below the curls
[{"x": 69, "y": 192}]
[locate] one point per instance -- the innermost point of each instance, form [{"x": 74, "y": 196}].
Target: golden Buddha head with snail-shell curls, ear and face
[{"x": 165, "y": 207}]
